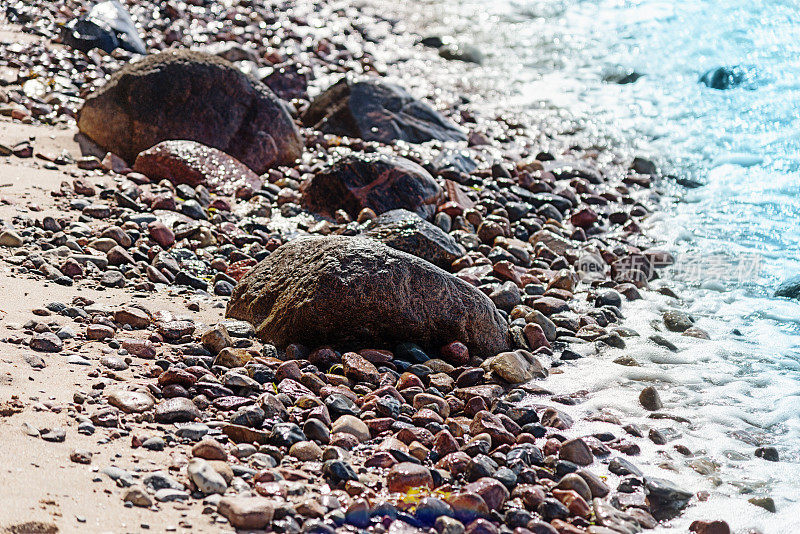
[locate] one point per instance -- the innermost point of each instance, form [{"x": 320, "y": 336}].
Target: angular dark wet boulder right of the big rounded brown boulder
[{"x": 378, "y": 111}]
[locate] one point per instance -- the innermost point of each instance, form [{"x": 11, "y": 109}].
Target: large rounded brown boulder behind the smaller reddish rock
[{"x": 195, "y": 96}]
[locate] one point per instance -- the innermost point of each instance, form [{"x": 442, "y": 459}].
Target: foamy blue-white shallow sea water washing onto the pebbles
[{"x": 744, "y": 144}]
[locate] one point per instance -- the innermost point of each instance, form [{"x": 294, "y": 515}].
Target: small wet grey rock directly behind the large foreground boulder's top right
[{"x": 407, "y": 231}]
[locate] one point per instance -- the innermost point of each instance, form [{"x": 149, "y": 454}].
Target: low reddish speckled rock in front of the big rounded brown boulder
[{"x": 193, "y": 163}]
